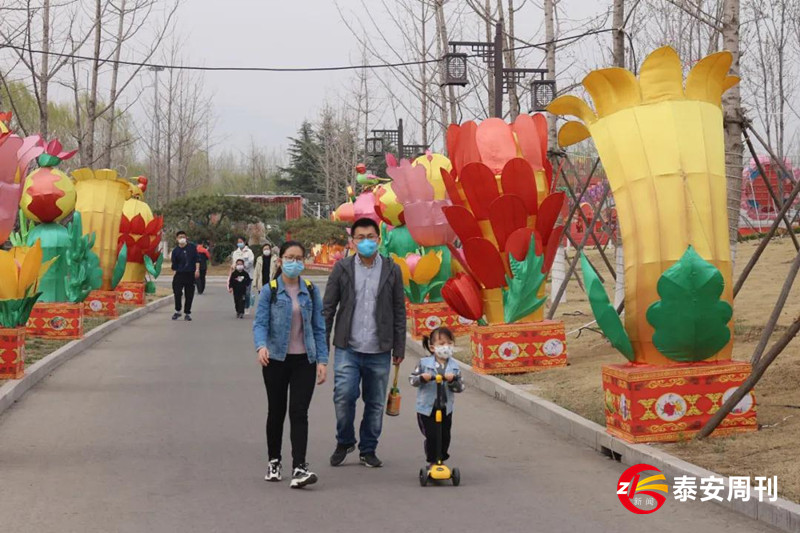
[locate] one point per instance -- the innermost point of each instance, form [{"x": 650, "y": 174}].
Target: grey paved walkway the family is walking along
[{"x": 159, "y": 428}]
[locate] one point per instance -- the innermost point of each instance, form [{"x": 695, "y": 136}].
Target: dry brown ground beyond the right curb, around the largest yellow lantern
[{"x": 770, "y": 451}]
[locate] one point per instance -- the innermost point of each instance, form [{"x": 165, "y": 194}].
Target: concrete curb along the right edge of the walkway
[{"x": 782, "y": 514}]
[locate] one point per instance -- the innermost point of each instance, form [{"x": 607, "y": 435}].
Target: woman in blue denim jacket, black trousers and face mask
[{"x": 289, "y": 335}]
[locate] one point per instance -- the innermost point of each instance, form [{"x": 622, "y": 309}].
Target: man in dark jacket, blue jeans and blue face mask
[{"x": 365, "y": 296}]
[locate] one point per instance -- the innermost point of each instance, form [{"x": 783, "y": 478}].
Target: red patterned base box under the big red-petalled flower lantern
[{"x": 517, "y": 348}]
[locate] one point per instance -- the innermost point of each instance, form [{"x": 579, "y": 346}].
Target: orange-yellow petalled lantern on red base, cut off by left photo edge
[{"x": 21, "y": 269}]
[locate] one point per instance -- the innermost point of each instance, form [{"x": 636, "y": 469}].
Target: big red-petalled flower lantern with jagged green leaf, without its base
[{"x": 504, "y": 216}]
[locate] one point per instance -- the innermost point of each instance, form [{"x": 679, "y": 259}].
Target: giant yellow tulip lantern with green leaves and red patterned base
[{"x": 661, "y": 142}]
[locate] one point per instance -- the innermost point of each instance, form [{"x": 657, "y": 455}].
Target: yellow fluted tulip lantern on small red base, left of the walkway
[{"x": 101, "y": 200}]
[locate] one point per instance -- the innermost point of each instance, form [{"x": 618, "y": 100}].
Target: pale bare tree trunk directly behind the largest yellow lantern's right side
[{"x": 732, "y": 102}]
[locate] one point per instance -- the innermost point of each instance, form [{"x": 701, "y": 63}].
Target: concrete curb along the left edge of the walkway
[{"x": 13, "y": 390}]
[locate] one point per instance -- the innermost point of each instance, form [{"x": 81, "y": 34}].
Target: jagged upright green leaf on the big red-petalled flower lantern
[{"x": 520, "y": 300}]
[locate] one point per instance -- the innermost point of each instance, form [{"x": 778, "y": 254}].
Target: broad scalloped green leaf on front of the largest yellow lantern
[{"x": 690, "y": 321}]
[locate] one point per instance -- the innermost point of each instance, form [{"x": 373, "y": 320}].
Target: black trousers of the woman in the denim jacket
[{"x": 293, "y": 378}]
